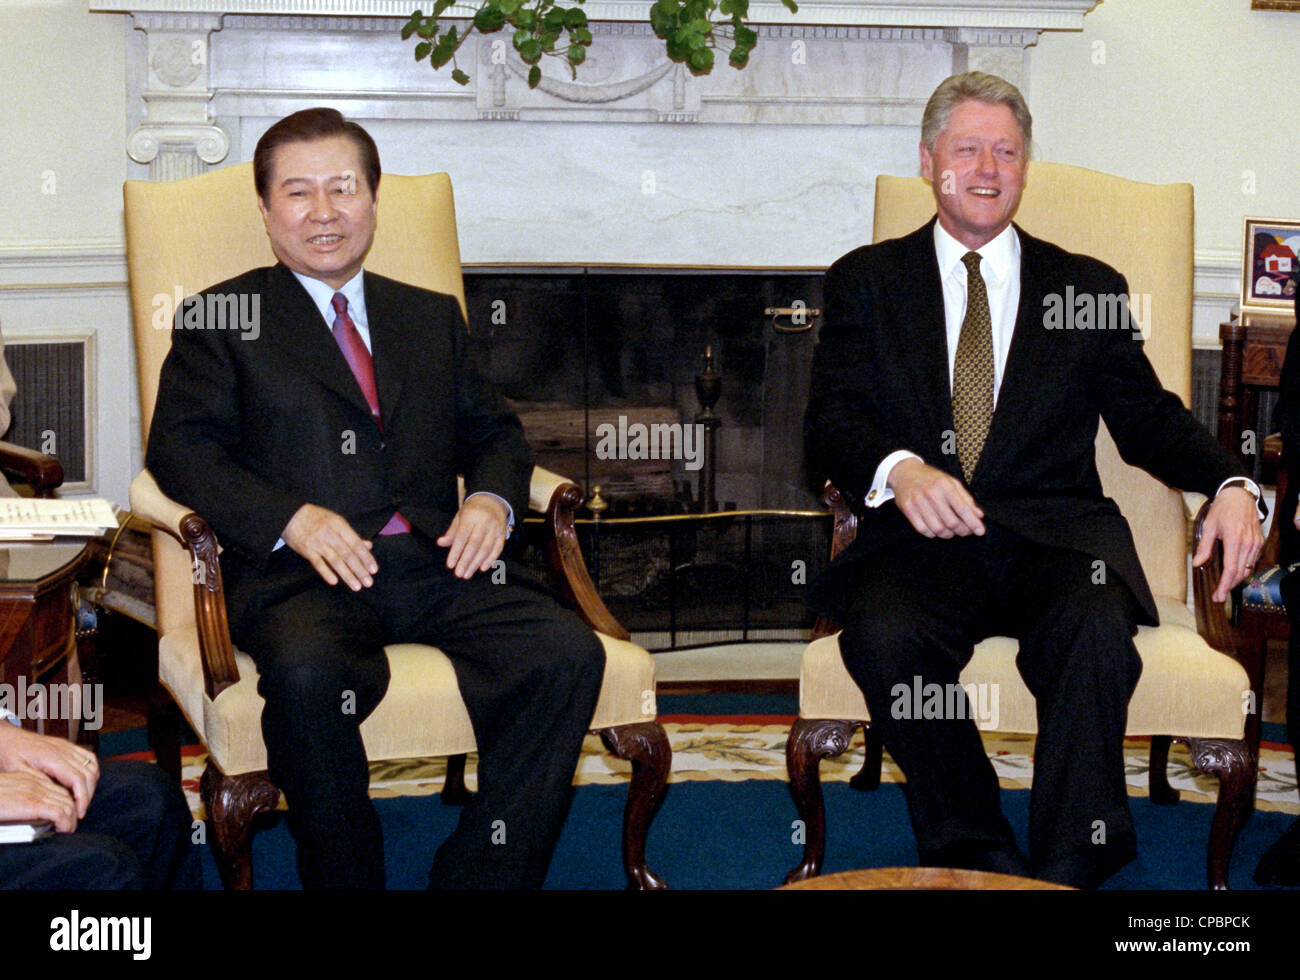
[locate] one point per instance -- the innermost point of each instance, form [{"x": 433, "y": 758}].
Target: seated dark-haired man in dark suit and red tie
[{"x": 328, "y": 469}]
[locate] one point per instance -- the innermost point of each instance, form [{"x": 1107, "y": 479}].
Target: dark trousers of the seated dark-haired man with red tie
[{"x": 530, "y": 674}]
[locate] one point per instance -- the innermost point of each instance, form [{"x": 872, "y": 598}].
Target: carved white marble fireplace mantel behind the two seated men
[{"x": 831, "y": 97}]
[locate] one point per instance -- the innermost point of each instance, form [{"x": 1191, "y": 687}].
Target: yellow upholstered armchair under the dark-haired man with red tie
[{"x": 187, "y": 236}]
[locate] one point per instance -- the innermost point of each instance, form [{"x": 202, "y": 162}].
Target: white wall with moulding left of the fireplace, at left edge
[{"x": 62, "y": 270}]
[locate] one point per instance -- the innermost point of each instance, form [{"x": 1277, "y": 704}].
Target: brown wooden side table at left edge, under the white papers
[{"x": 38, "y": 631}]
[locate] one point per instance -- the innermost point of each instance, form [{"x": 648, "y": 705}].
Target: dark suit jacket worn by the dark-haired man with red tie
[{"x": 248, "y": 431}]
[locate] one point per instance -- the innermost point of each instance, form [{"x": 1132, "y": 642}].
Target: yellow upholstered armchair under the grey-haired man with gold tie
[{"x": 1191, "y": 688}]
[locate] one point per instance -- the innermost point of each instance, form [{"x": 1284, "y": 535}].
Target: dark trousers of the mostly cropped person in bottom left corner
[{"x": 137, "y": 834}]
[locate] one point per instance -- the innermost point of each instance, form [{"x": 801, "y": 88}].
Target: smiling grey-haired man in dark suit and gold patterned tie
[{"x": 976, "y": 522}]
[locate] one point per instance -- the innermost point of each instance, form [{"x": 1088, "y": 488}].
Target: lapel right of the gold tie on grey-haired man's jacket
[{"x": 1025, "y": 358}]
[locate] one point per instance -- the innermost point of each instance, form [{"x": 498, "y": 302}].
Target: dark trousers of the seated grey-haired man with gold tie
[{"x": 915, "y": 618}]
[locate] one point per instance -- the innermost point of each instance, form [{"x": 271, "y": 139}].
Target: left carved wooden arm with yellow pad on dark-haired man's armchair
[{"x": 210, "y": 605}]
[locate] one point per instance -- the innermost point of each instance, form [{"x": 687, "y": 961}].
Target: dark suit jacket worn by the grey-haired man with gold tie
[{"x": 881, "y": 384}]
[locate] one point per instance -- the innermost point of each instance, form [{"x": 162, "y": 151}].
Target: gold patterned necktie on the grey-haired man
[{"x": 973, "y": 371}]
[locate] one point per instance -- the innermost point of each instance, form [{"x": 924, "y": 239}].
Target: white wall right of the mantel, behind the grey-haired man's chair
[{"x": 1175, "y": 90}]
